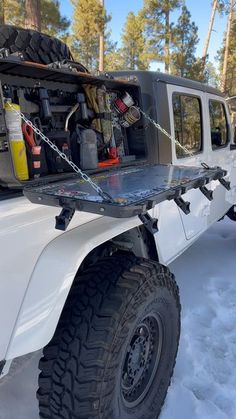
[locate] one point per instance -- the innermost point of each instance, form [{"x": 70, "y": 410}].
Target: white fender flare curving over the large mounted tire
[{"x": 52, "y": 278}]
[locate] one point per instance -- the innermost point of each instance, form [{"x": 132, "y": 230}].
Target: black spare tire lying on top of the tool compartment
[{"x": 35, "y": 46}]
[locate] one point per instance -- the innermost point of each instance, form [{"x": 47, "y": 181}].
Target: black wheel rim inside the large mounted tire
[{"x": 141, "y": 360}]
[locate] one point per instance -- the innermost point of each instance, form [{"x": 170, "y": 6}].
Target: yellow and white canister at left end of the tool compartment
[{"x": 17, "y": 144}]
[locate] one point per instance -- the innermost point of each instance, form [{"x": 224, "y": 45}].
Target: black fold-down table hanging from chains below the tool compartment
[{"x": 133, "y": 190}]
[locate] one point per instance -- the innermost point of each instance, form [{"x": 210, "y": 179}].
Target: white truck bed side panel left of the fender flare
[{"x": 26, "y": 229}]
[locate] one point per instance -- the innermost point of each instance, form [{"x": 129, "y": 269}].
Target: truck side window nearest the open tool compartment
[{"x": 188, "y": 123}]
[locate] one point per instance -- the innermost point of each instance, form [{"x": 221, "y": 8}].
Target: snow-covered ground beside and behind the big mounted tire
[{"x": 204, "y": 383}]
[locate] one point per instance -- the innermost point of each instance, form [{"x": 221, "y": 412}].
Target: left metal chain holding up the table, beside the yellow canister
[{"x": 76, "y": 169}]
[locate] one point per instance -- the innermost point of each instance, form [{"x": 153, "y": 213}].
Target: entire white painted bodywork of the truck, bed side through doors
[{"x": 39, "y": 263}]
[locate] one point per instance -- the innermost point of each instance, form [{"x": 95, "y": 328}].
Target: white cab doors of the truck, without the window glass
[{"x": 203, "y": 212}]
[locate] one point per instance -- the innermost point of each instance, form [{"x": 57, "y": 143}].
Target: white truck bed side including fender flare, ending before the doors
[{"x": 39, "y": 263}]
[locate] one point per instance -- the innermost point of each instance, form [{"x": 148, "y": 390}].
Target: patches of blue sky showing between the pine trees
[{"x": 199, "y": 9}]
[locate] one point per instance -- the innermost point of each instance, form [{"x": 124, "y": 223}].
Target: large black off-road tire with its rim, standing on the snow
[{"x": 103, "y": 360}]
